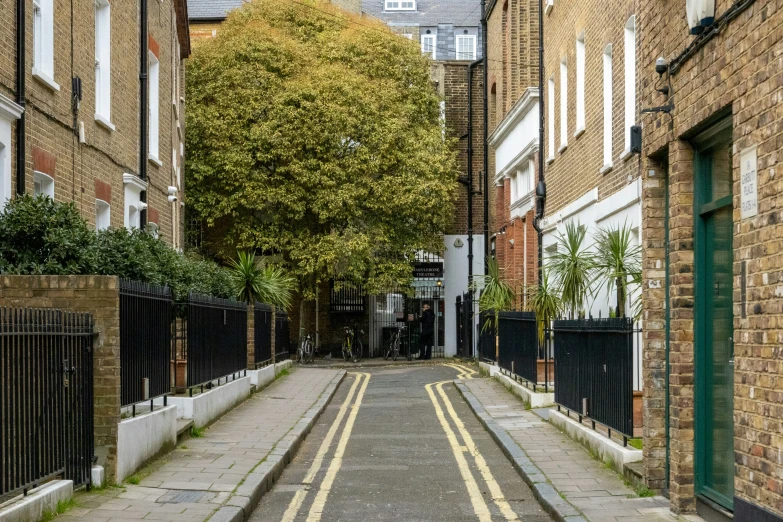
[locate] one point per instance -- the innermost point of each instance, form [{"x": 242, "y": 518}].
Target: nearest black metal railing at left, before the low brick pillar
[{"x": 46, "y": 398}]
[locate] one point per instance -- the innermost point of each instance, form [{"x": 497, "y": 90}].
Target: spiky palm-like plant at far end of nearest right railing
[{"x": 572, "y": 267}]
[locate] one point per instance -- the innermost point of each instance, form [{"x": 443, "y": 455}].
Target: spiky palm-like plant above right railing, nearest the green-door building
[{"x": 618, "y": 262}]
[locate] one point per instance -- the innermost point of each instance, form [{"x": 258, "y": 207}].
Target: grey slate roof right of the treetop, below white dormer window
[{"x": 459, "y": 13}]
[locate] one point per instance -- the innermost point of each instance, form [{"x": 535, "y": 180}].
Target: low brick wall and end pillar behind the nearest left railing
[{"x": 98, "y": 295}]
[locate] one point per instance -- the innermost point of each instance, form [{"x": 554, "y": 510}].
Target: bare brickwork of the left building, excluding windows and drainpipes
[{"x": 106, "y": 154}]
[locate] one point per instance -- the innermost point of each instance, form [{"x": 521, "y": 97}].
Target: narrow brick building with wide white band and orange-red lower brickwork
[{"x": 512, "y": 69}]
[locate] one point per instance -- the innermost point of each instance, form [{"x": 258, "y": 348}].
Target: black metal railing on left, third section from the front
[{"x": 212, "y": 338}]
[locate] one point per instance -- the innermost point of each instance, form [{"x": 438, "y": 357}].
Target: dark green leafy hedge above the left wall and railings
[{"x": 41, "y": 236}]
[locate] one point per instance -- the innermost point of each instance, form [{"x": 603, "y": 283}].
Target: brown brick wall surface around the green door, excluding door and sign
[{"x": 739, "y": 69}]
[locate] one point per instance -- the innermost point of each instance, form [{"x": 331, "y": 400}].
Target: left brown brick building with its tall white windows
[{"x": 78, "y": 110}]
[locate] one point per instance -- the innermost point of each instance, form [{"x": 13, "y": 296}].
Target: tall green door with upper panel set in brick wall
[{"x": 714, "y": 323}]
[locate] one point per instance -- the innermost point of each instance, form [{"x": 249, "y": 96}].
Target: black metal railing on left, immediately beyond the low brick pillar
[{"x": 146, "y": 313}]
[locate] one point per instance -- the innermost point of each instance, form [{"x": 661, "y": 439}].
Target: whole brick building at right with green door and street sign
[{"x": 712, "y": 280}]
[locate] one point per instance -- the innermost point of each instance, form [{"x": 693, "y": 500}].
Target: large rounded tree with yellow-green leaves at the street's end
[{"x": 315, "y": 135}]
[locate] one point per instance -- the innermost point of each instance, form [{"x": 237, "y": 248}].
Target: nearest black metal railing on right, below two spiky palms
[{"x": 594, "y": 371}]
